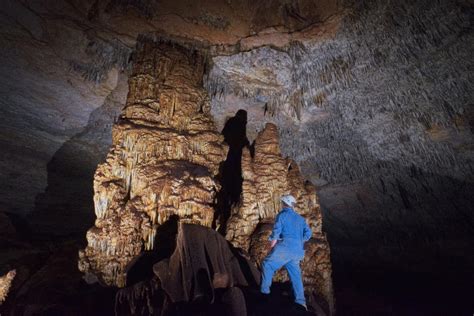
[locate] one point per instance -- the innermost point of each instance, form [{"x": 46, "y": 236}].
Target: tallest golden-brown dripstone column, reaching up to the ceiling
[{"x": 165, "y": 155}]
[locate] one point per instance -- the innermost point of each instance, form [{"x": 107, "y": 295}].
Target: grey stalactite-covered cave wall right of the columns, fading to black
[{"x": 379, "y": 117}]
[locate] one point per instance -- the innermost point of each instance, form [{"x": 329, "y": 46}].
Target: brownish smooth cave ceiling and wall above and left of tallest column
[{"x": 61, "y": 65}]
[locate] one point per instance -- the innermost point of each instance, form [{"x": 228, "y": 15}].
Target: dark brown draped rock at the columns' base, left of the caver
[{"x": 202, "y": 263}]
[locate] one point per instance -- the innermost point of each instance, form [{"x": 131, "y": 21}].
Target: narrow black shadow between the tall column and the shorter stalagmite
[{"x": 230, "y": 175}]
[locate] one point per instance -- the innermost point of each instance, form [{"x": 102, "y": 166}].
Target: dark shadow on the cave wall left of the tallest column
[{"x": 66, "y": 206}]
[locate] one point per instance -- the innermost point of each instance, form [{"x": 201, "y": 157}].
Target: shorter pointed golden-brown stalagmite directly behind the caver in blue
[{"x": 266, "y": 177}]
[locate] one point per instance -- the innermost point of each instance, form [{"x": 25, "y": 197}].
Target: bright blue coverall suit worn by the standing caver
[{"x": 292, "y": 231}]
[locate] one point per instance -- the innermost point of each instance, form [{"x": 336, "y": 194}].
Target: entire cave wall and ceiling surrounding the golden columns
[{"x": 384, "y": 129}]
